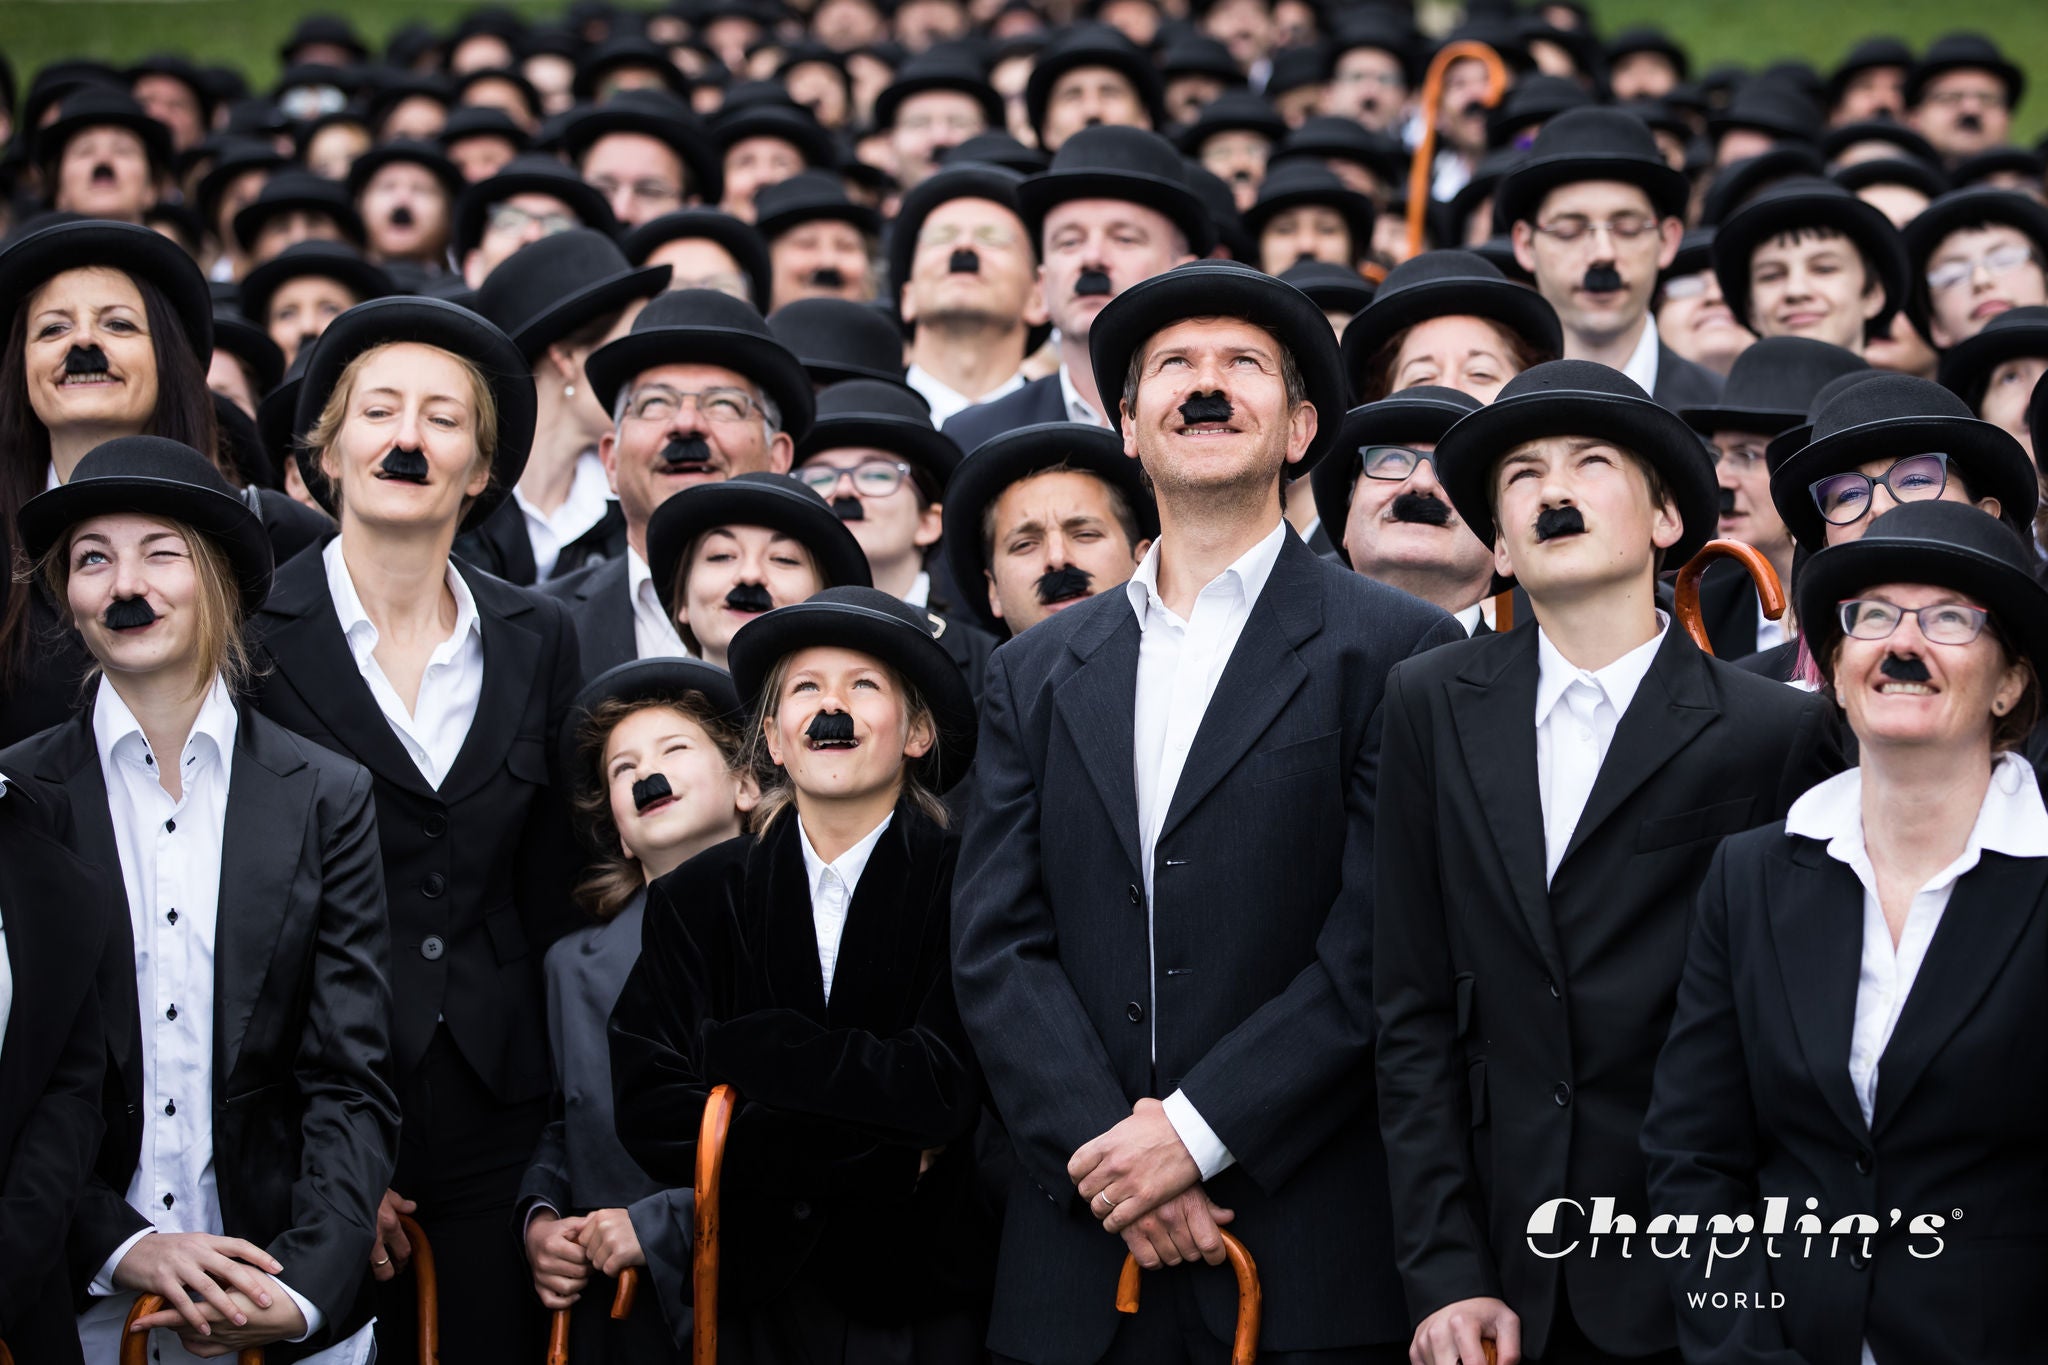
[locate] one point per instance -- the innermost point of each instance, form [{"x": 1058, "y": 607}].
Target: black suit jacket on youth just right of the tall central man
[{"x": 1519, "y": 1024}]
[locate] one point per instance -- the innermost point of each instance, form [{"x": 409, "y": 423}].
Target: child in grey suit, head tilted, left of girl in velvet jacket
[{"x": 660, "y": 777}]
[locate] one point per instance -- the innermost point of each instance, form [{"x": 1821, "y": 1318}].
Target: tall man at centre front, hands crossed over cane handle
[{"x": 1205, "y": 742}]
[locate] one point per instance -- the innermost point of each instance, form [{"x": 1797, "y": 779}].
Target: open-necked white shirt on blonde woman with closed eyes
[{"x": 439, "y": 719}]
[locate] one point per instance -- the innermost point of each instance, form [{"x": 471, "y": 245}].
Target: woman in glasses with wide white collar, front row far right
[{"x": 1863, "y": 1032}]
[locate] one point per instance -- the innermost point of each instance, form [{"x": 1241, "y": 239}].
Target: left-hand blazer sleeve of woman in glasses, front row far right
[{"x": 1703, "y": 1149}]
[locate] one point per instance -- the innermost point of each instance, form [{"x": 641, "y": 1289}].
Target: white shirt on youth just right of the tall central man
[{"x": 1576, "y": 717}]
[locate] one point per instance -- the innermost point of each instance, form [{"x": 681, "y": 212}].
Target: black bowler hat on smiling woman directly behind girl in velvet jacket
[{"x": 777, "y": 502}]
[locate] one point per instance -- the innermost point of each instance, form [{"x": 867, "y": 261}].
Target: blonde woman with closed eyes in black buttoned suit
[{"x": 450, "y": 687}]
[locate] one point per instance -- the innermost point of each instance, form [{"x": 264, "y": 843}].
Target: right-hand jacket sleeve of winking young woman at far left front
[{"x": 345, "y": 1071}]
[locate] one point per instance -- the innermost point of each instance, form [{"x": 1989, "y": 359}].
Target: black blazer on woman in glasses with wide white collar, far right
[{"x": 1754, "y": 1100}]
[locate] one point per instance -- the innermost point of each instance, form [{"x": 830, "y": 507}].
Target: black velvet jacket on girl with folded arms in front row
[{"x": 841, "y": 1100}]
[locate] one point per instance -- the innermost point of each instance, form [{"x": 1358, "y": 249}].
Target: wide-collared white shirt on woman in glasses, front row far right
[{"x": 2010, "y": 822}]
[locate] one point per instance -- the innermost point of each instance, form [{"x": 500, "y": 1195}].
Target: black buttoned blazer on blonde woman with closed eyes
[{"x": 478, "y": 871}]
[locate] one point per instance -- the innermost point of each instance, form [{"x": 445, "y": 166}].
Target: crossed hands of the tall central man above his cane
[{"x": 1144, "y": 1186}]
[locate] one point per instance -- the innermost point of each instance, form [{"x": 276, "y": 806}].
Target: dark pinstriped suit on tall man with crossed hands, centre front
[{"x": 1263, "y": 918}]
